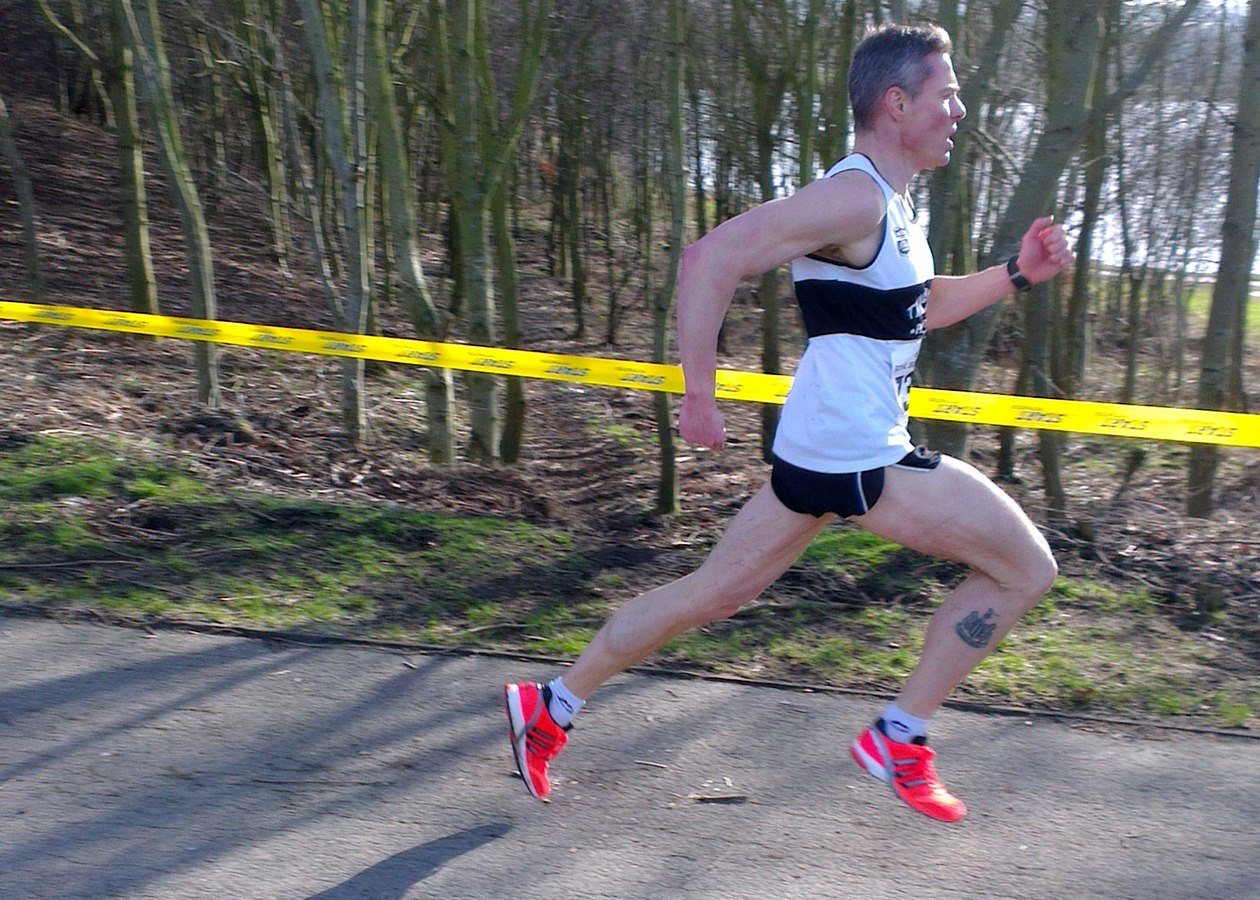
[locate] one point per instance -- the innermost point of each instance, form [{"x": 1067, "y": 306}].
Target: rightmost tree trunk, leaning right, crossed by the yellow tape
[{"x": 1233, "y": 280}]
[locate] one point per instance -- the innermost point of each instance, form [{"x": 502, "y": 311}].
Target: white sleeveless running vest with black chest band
[{"x": 847, "y": 407}]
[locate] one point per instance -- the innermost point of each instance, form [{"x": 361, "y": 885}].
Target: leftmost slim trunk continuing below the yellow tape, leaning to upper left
[{"x": 146, "y": 38}]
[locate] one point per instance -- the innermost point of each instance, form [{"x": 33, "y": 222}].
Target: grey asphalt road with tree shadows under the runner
[{"x": 191, "y": 766}]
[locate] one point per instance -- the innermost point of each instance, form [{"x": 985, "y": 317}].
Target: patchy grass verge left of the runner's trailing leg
[{"x": 120, "y": 530}]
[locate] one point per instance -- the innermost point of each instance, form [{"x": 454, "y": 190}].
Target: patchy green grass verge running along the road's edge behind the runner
[{"x": 127, "y": 531}]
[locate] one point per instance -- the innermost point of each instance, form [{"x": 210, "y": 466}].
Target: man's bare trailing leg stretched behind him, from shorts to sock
[{"x": 760, "y": 544}]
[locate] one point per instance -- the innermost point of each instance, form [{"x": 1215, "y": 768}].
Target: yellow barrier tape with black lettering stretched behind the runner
[{"x": 1151, "y": 423}]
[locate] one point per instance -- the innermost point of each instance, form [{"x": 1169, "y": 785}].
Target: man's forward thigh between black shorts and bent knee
[{"x": 954, "y": 512}]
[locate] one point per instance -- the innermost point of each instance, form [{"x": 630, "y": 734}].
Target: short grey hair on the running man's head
[{"x": 891, "y": 56}]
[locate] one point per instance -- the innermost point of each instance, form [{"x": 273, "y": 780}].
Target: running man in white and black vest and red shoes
[{"x": 868, "y": 292}]
